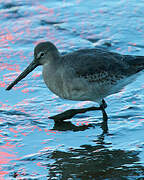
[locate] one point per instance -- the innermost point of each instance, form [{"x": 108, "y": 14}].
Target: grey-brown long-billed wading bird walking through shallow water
[{"x": 83, "y": 75}]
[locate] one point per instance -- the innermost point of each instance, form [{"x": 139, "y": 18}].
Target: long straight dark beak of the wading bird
[{"x": 30, "y": 68}]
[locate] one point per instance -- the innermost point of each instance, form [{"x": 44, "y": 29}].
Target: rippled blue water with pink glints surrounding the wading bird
[{"x": 31, "y": 145}]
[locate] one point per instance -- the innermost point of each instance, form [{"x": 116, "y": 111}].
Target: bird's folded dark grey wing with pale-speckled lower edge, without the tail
[{"x": 98, "y": 65}]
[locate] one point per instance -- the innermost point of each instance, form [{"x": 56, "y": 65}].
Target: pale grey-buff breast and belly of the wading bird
[{"x": 63, "y": 84}]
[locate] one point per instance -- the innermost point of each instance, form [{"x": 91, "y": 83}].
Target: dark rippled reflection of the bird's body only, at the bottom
[{"x": 94, "y": 162}]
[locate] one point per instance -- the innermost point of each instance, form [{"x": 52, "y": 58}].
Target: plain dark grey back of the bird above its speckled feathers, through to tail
[{"x": 88, "y": 62}]
